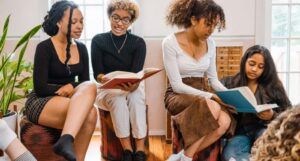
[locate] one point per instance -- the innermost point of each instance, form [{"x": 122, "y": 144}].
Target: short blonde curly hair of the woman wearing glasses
[{"x": 128, "y": 5}]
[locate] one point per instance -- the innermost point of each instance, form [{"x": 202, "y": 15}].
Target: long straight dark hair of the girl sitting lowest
[{"x": 269, "y": 79}]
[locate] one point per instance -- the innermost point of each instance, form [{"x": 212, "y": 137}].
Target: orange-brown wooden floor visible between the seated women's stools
[{"x": 158, "y": 149}]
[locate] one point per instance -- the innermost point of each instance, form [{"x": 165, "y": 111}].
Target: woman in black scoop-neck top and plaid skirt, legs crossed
[{"x": 63, "y": 96}]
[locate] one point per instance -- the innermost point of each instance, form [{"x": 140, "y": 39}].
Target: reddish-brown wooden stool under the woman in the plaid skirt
[{"x": 39, "y": 140}]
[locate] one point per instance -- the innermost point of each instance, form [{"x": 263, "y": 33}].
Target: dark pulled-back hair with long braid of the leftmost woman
[{"x": 55, "y": 14}]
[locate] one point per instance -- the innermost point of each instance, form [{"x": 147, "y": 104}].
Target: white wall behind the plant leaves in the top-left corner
[{"x": 24, "y": 16}]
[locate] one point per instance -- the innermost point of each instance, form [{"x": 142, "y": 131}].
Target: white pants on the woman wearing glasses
[{"x": 125, "y": 109}]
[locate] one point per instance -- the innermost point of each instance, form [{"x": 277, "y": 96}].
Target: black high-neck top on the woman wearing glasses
[{"x": 105, "y": 56}]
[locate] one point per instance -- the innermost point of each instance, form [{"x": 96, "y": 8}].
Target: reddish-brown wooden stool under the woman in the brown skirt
[{"x": 211, "y": 153}]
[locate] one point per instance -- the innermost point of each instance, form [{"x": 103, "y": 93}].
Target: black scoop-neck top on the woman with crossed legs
[{"x": 50, "y": 73}]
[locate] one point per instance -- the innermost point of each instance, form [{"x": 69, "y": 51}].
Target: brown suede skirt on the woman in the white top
[{"x": 191, "y": 113}]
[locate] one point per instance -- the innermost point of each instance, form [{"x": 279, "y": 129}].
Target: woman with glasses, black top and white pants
[{"x": 120, "y": 50}]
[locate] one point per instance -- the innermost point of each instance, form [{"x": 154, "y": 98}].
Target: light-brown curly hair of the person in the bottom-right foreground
[{"x": 281, "y": 140}]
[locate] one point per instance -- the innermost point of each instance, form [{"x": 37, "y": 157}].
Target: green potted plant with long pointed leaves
[{"x": 12, "y": 65}]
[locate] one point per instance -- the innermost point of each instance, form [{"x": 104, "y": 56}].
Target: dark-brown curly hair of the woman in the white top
[{"x": 181, "y": 11}]
